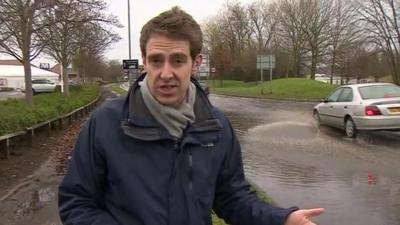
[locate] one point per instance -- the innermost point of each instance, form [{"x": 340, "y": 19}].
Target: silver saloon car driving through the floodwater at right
[{"x": 371, "y": 106}]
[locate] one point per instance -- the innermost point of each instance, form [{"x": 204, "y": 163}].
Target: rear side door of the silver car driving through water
[{"x": 341, "y": 107}]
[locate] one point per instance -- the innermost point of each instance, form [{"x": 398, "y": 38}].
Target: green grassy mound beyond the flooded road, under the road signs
[{"x": 291, "y": 88}]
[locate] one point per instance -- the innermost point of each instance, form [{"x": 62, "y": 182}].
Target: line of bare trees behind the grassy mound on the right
[{"x": 346, "y": 38}]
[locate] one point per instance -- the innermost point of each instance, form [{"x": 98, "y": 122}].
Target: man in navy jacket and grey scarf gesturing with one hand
[{"x": 164, "y": 154}]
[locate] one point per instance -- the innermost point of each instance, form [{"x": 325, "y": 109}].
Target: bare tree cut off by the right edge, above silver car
[{"x": 380, "y": 19}]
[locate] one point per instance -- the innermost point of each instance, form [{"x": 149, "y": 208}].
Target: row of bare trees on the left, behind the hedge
[{"x": 73, "y": 32}]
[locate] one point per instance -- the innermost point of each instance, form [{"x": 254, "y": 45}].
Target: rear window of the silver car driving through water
[{"x": 379, "y": 91}]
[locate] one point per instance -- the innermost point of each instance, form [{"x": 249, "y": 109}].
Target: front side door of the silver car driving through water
[{"x": 326, "y": 109}]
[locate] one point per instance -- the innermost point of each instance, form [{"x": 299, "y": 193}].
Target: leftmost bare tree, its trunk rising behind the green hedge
[{"x": 21, "y": 24}]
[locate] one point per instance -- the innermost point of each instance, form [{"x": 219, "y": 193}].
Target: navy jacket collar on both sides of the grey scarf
[{"x": 140, "y": 124}]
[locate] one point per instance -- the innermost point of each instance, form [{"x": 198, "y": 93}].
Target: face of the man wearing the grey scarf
[{"x": 169, "y": 67}]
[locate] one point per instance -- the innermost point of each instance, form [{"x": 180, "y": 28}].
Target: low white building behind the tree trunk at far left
[{"x": 13, "y": 75}]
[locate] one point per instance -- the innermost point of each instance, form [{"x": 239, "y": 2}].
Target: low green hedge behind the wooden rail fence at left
[{"x": 15, "y": 115}]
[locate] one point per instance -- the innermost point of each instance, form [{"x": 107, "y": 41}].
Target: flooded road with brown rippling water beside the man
[{"x": 296, "y": 163}]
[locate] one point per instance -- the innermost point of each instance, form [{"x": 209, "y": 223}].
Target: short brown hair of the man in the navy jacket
[{"x": 175, "y": 24}]
